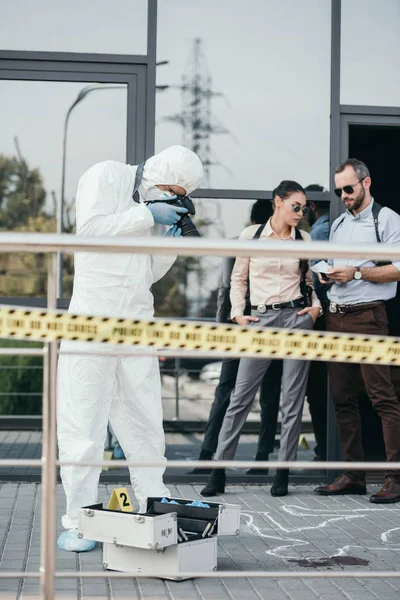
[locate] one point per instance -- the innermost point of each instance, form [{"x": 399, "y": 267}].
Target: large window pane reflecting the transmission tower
[{"x": 248, "y": 87}]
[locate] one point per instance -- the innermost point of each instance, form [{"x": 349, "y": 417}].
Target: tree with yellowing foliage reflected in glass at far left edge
[{"x": 22, "y": 208}]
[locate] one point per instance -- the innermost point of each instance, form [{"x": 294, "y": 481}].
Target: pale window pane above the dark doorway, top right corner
[{"x": 370, "y": 48}]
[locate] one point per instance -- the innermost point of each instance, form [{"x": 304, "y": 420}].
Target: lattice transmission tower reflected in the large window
[{"x": 196, "y": 117}]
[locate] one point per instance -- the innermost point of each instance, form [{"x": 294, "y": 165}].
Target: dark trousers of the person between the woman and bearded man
[{"x": 317, "y": 398}]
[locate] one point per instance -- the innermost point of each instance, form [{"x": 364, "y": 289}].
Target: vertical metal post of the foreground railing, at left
[{"x": 48, "y": 504}]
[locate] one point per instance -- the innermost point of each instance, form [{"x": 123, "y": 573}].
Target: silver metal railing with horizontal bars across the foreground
[{"x": 18, "y": 242}]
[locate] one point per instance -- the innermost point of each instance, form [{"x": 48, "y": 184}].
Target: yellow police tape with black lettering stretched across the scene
[{"x": 40, "y": 325}]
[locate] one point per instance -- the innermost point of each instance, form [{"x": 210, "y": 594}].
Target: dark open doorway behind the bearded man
[{"x": 379, "y": 147}]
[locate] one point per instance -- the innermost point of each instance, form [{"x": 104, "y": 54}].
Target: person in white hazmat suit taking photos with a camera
[{"x": 126, "y": 389}]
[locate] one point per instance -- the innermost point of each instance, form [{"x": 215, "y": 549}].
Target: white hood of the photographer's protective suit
[{"x": 176, "y": 165}]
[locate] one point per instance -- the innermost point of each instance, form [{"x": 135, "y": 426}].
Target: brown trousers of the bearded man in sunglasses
[{"x": 344, "y": 380}]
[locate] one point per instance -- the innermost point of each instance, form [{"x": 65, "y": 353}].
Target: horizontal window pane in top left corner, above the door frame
[{"x": 100, "y": 26}]
